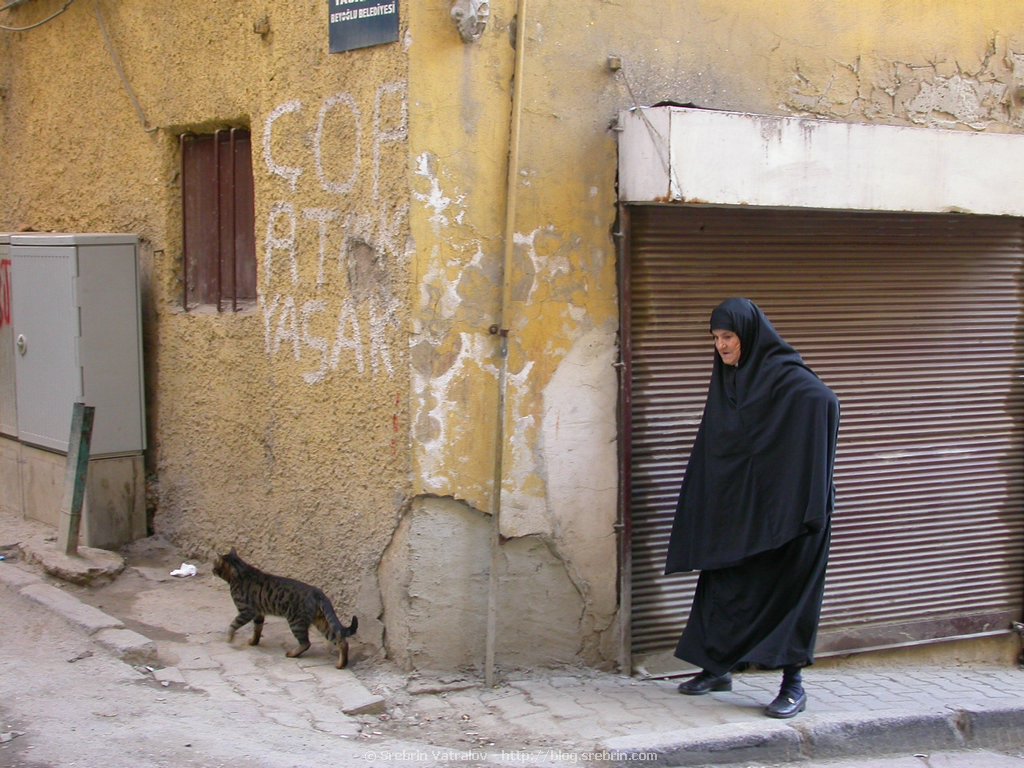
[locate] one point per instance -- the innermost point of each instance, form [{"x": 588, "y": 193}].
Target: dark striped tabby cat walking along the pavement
[{"x": 258, "y": 594}]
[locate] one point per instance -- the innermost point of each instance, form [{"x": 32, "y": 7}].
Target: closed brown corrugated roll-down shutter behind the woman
[{"x": 915, "y": 322}]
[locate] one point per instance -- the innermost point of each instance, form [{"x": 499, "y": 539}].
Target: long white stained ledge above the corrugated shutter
[{"x": 681, "y": 155}]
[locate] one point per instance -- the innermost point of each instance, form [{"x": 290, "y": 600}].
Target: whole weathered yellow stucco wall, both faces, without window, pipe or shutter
[{"x": 345, "y": 429}]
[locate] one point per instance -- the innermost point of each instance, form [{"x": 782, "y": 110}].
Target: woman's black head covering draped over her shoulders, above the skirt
[{"x": 760, "y": 474}]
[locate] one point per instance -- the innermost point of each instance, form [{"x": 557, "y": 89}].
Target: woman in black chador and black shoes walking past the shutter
[{"x": 755, "y": 510}]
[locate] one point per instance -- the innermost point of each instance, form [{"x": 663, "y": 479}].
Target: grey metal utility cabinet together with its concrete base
[{"x": 76, "y": 330}]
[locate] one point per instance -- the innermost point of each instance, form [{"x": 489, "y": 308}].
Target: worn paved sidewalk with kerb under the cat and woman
[{"x": 174, "y": 629}]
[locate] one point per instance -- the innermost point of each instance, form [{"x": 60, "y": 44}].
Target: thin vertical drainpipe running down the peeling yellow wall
[{"x": 501, "y": 331}]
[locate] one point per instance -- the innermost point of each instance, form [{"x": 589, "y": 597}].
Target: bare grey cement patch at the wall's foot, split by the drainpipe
[{"x": 438, "y": 570}]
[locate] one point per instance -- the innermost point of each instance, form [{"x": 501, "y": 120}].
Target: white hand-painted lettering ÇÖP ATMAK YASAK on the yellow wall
[{"x": 359, "y": 245}]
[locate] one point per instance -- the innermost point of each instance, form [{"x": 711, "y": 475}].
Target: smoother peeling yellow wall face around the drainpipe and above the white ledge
[{"x": 940, "y": 65}]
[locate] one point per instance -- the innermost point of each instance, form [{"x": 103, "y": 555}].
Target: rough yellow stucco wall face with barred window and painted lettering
[{"x": 281, "y": 430}]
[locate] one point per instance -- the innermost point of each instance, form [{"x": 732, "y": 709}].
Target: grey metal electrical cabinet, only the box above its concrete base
[{"x": 77, "y": 338}]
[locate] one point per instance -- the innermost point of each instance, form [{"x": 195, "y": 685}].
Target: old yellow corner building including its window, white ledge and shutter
[{"x": 425, "y": 371}]
